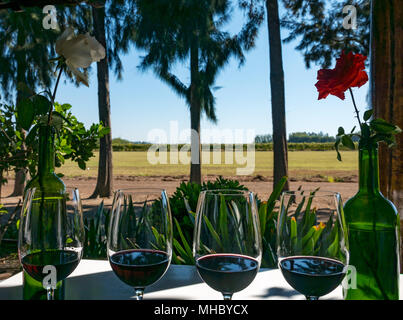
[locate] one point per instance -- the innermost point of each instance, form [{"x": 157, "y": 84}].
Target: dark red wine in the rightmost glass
[{"x": 312, "y": 276}]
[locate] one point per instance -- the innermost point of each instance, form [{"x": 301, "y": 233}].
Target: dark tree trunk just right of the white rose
[{"x": 104, "y": 187}]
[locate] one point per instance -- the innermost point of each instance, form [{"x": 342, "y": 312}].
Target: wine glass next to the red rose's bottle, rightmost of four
[{"x": 312, "y": 243}]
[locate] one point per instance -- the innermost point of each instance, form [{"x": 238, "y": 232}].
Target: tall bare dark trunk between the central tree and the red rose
[{"x": 280, "y": 150}]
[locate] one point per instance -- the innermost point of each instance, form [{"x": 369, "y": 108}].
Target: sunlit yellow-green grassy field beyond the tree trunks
[{"x": 302, "y": 164}]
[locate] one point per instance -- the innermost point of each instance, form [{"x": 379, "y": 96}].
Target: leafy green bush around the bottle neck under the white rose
[{"x": 73, "y": 142}]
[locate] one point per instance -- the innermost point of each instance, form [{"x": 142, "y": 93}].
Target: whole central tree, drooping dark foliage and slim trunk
[{"x": 191, "y": 32}]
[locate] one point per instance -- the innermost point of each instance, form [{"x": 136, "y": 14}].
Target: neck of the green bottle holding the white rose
[{"x": 46, "y": 164}]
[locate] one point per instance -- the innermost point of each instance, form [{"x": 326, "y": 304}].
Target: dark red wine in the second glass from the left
[{"x": 139, "y": 268}]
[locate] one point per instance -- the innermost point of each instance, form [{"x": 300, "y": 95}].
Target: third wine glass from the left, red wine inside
[{"x": 227, "y": 244}]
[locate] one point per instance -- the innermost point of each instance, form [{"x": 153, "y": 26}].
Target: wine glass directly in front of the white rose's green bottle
[{"x": 51, "y": 236}]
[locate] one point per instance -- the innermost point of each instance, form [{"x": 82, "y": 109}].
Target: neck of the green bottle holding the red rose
[{"x": 368, "y": 169}]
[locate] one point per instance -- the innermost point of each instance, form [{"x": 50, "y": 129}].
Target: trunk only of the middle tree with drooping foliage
[{"x": 195, "y": 164}]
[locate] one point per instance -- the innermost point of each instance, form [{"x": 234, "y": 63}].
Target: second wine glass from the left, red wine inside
[{"x": 140, "y": 237}]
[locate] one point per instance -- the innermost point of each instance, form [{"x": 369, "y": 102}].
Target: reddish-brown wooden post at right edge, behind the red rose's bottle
[{"x": 386, "y": 81}]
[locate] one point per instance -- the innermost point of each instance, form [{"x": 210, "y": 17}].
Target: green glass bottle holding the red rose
[{"x": 374, "y": 230}]
